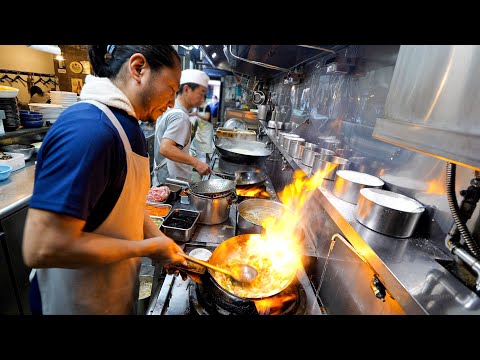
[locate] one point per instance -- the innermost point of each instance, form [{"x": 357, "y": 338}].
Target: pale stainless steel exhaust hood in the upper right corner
[{"x": 433, "y": 103}]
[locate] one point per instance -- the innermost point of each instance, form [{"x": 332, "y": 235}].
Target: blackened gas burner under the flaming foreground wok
[{"x": 290, "y": 301}]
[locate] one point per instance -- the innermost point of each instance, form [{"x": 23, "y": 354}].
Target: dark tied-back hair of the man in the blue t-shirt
[{"x": 107, "y": 60}]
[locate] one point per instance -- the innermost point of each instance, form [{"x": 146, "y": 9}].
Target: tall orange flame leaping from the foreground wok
[{"x": 277, "y": 253}]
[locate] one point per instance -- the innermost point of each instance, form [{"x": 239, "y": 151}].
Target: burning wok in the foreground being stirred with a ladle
[{"x": 272, "y": 277}]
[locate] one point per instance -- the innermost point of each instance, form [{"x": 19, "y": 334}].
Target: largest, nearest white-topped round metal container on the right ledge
[{"x": 388, "y": 213}]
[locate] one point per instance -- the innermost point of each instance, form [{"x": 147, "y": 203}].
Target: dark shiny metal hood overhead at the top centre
[{"x": 264, "y": 61}]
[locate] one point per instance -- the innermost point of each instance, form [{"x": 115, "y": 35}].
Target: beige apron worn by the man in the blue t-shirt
[{"x": 111, "y": 288}]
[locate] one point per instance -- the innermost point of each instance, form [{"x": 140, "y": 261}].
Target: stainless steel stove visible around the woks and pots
[{"x": 174, "y": 296}]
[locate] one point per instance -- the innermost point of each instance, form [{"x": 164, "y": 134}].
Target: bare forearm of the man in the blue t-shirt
[{"x": 57, "y": 240}]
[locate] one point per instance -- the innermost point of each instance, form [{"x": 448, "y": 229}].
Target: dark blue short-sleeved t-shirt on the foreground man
[{"x": 81, "y": 165}]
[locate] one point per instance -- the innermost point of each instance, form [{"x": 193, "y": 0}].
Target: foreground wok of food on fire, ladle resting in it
[{"x": 236, "y": 249}]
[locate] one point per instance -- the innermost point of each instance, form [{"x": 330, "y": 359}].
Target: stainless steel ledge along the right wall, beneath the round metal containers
[{"x": 409, "y": 268}]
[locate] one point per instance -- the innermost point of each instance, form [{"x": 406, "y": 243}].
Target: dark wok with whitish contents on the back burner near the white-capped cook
[{"x": 242, "y": 151}]
